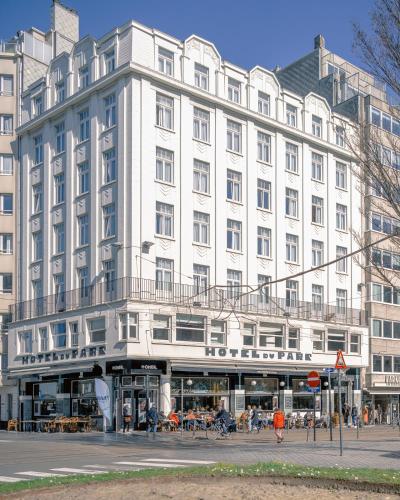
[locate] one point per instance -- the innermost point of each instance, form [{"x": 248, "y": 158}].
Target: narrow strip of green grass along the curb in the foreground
[{"x": 271, "y": 469}]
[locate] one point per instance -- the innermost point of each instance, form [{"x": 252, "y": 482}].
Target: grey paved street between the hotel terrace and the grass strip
[{"x": 28, "y": 455}]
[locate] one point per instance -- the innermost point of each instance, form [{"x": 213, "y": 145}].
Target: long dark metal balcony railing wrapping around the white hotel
[{"x": 220, "y": 299}]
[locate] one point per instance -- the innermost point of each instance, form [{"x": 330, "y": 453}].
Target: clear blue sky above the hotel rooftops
[{"x": 264, "y": 32}]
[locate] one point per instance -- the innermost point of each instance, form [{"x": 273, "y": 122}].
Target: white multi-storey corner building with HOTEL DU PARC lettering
[{"x": 159, "y": 185}]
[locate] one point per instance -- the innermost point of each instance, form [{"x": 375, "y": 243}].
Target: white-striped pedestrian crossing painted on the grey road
[{"x": 92, "y": 469}]
